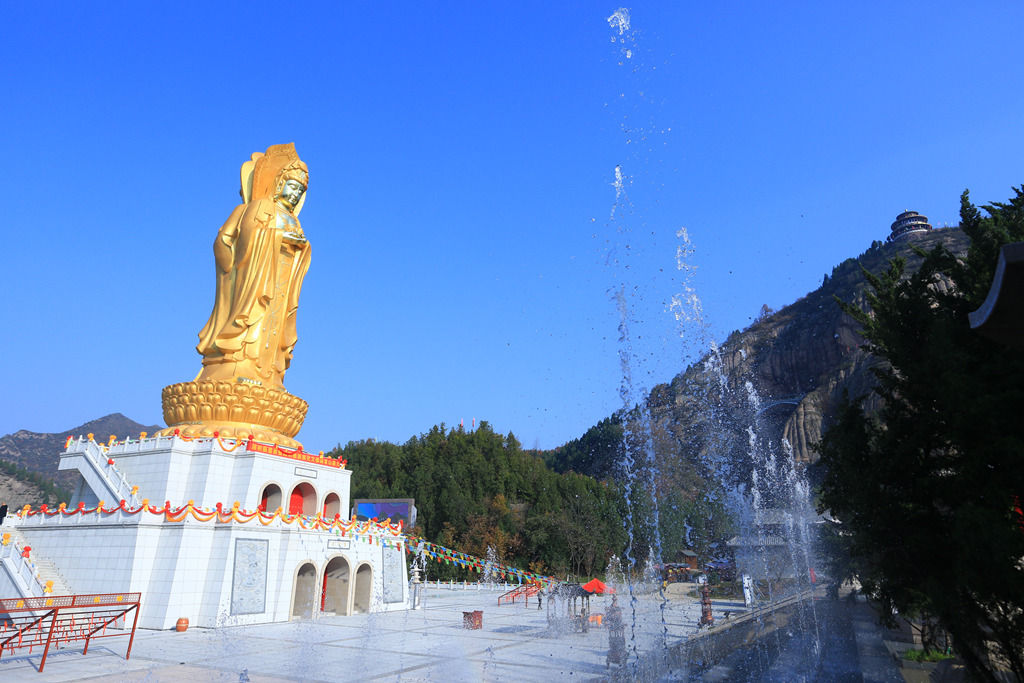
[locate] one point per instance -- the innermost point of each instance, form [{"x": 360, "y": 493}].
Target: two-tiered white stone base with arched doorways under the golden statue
[{"x": 217, "y": 574}]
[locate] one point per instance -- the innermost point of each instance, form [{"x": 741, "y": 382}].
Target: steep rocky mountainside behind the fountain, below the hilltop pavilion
[{"x": 798, "y": 361}]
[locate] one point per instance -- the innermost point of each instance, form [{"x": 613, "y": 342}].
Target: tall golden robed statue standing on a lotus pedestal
[{"x": 262, "y": 257}]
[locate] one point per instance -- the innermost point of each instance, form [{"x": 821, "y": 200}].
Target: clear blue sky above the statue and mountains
[{"x": 466, "y": 235}]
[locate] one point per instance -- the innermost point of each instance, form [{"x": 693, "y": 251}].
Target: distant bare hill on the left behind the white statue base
[{"x": 29, "y": 460}]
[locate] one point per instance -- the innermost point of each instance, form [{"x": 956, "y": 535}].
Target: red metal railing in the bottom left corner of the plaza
[{"x": 30, "y": 623}]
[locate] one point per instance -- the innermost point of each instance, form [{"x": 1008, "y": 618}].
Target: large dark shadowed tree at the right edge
[{"x": 928, "y": 489}]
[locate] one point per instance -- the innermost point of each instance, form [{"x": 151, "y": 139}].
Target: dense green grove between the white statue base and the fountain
[{"x": 479, "y": 492}]
